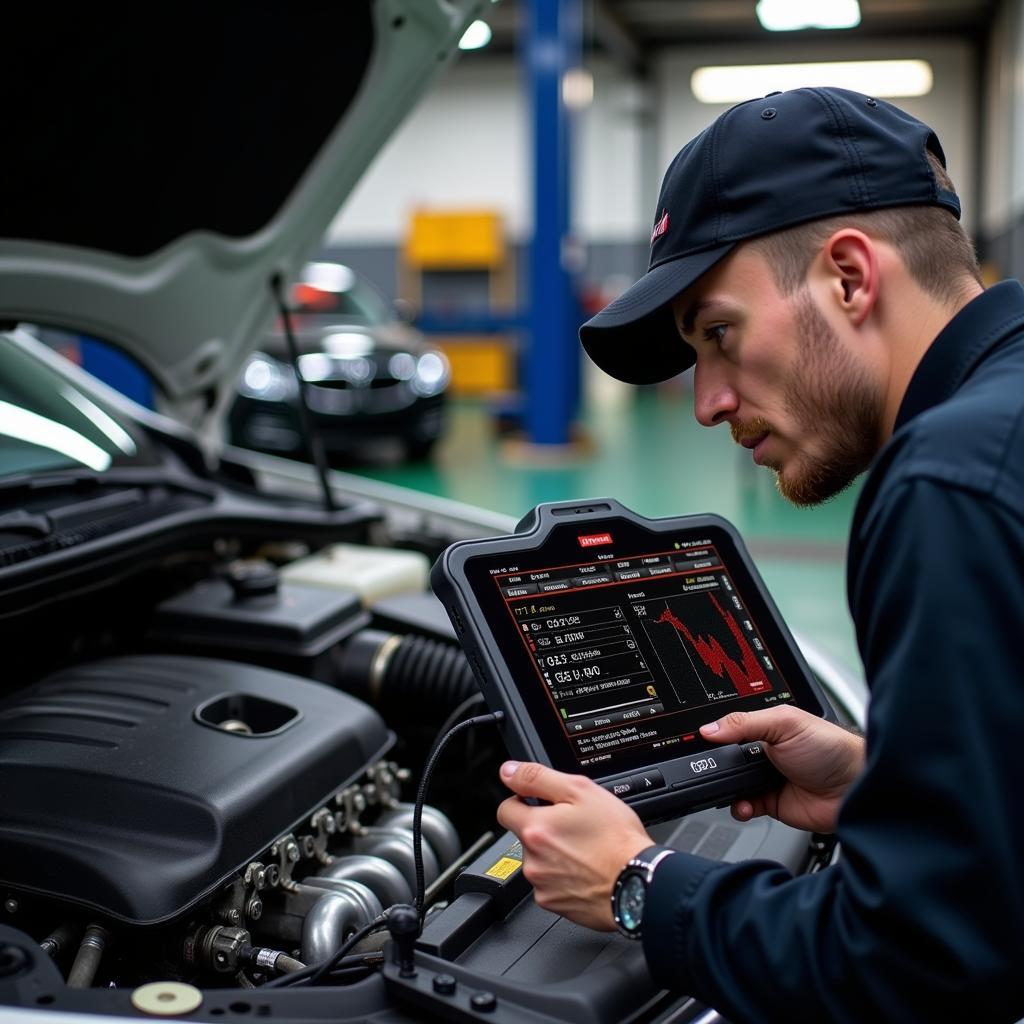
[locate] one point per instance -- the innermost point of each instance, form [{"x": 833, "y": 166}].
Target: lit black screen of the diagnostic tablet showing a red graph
[{"x": 623, "y": 643}]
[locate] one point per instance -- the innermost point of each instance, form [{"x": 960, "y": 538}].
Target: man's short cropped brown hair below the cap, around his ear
[{"x": 931, "y": 241}]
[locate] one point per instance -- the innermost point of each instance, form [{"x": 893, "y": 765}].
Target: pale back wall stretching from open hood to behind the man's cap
[{"x": 468, "y": 142}]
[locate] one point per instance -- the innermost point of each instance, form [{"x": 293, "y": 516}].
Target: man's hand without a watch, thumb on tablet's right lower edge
[{"x": 820, "y": 761}]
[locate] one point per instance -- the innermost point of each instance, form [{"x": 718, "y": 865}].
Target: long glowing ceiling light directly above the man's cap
[{"x": 875, "y": 78}]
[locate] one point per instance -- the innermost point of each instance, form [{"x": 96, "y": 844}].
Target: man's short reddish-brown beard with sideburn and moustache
[{"x": 833, "y": 399}]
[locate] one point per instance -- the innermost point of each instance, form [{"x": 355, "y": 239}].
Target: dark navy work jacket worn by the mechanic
[{"x": 923, "y": 918}]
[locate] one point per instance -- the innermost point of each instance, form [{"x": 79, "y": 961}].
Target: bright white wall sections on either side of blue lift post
[{"x": 468, "y": 144}]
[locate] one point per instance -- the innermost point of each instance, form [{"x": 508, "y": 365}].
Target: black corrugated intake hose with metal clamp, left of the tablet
[{"x": 416, "y": 674}]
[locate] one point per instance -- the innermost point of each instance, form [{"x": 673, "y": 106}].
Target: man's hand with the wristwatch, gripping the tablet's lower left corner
[{"x": 575, "y": 848}]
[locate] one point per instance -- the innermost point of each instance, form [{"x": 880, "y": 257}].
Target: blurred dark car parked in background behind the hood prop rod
[{"x": 374, "y": 381}]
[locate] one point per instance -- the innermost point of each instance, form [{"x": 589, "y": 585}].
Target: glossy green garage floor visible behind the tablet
[{"x": 651, "y": 454}]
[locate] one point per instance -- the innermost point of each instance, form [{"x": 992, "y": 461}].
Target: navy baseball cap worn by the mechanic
[{"x": 762, "y": 166}]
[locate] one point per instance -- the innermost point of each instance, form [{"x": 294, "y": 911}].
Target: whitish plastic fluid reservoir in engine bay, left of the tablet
[{"x": 371, "y": 573}]
